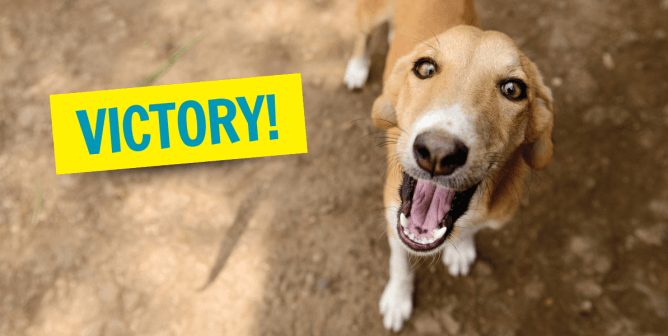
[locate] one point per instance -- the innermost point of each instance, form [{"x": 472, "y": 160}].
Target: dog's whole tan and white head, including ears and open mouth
[{"x": 462, "y": 102}]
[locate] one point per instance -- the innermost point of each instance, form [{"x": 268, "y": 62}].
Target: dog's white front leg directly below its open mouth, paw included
[{"x": 396, "y": 304}]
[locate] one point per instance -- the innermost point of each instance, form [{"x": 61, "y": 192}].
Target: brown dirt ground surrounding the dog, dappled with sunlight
[{"x": 295, "y": 245}]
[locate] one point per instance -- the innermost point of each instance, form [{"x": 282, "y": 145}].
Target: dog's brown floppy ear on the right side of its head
[{"x": 537, "y": 146}]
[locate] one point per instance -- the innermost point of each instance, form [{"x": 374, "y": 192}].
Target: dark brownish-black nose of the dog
[{"x": 439, "y": 154}]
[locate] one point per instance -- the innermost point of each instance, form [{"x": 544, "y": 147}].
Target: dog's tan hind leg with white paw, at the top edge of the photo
[{"x": 370, "y": 14}]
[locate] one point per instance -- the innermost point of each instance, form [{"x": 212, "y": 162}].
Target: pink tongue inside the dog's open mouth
[{"x": 429, "y": 206}]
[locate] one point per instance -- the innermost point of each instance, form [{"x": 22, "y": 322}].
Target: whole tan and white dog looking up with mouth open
[{"x": 469, "y": 113}]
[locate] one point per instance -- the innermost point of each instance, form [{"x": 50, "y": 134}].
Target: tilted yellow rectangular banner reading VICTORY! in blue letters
[{"x": 123, "y": 143}]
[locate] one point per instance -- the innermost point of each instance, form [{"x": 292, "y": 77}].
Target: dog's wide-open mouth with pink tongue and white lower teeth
[{"x": 428, "y": 212}]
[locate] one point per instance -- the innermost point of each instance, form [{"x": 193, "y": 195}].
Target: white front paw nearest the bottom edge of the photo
[{"x": 396, "y": 304}]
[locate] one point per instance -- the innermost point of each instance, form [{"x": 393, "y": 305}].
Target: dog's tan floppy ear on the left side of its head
[{"x": 383, "y": 112}]
